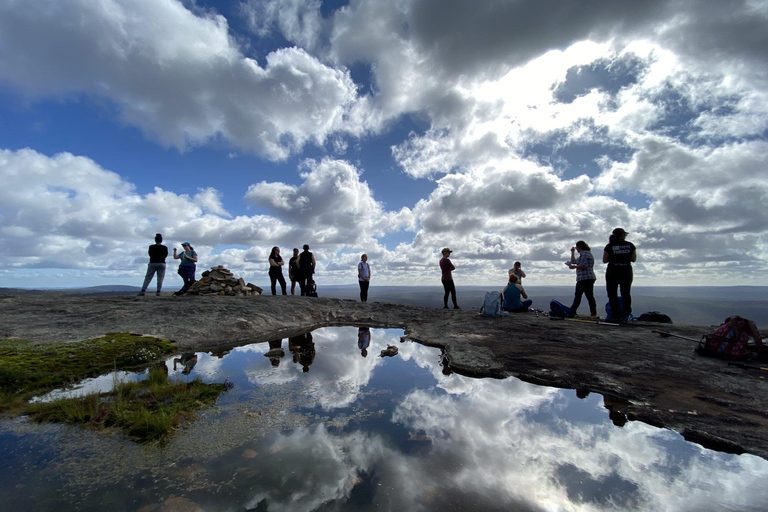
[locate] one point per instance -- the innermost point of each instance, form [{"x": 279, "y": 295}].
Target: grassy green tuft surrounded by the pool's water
[{"x": 147, "y": 411}]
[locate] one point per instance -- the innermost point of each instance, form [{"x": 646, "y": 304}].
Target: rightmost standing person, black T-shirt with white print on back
[{"x": 619, "y": 255}]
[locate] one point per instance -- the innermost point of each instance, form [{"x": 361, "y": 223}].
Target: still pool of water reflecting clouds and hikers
[{"x": 311, "y": 424}]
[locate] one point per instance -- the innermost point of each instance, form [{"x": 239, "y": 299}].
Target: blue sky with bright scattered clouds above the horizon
[{"x": 506, "y": 130}]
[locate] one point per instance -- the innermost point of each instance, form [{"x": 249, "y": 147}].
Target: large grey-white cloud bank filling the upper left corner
[{"x": 177, "y": 75}]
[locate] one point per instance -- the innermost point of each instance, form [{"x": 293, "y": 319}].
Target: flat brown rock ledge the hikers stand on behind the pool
[{"x": 660, "y": 381}]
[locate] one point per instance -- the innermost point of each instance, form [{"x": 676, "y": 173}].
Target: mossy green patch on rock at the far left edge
[{"x": 28, "y": 368}]
